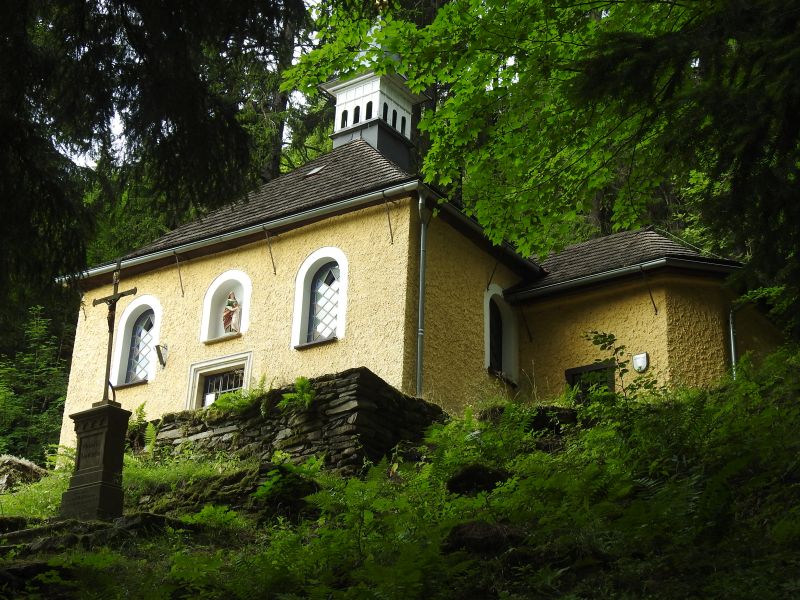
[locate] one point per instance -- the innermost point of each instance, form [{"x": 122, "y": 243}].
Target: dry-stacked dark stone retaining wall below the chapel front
[{"x": 355, "y": 416}]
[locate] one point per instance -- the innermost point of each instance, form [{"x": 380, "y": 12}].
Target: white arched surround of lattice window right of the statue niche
[{"x": 302, "y": 293}]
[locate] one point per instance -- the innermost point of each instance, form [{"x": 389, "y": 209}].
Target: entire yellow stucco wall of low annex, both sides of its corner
[{"x": 687, "y": 339}]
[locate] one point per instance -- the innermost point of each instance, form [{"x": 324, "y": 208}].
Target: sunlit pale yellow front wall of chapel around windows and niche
[{"x": 375, "y": 334}]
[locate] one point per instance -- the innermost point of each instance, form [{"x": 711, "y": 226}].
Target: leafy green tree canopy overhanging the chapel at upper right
[{"x": 544, "y": 110}]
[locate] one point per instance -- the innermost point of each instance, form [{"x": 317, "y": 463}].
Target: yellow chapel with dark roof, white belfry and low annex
[{"x": 352, "y": 260}]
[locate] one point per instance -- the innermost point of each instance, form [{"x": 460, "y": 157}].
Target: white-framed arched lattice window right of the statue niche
[{"x": 320, "y": 298}]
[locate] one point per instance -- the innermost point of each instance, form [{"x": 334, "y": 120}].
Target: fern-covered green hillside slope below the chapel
[{"x": 651, "y": 494}]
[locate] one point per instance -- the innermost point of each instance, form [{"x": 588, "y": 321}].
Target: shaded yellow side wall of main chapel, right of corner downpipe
[{"x": 458, "y": 273}]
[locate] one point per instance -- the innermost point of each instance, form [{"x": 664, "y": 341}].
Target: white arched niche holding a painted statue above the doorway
[{"x": 226, "y": 306}]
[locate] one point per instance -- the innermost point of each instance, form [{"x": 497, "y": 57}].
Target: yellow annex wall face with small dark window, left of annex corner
[{"x": 557, "y": 327}]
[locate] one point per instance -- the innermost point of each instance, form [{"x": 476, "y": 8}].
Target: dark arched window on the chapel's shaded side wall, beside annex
[{"x": 501, "y": 346}]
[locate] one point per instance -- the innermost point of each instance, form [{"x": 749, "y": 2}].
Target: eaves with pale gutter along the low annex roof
[{"x": 707, "y": 266}]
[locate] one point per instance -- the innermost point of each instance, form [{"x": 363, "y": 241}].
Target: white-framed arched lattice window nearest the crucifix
[{"x": 134, "y": 357}]
